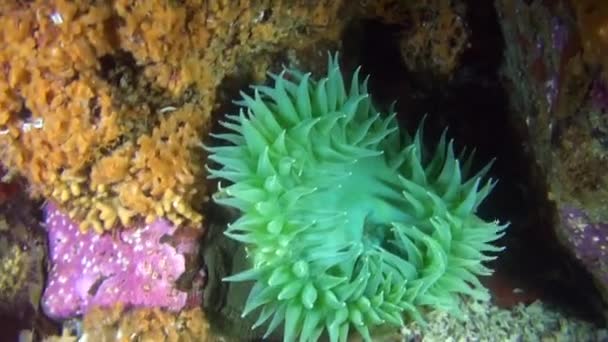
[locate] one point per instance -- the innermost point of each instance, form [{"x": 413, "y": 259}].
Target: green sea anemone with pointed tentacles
[{"x": 347, "y": 221}]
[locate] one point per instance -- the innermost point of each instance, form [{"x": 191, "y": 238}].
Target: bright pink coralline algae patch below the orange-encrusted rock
[{"x": 136, "y": 267}]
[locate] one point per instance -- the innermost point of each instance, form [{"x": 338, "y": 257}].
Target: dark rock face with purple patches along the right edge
[{"x": 555, "y": 68}]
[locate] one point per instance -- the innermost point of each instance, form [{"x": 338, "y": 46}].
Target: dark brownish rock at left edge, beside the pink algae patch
[{"x": 22, "y": 255}]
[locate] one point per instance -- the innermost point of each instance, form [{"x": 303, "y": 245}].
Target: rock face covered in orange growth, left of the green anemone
[{"x": 103, "y": 104}]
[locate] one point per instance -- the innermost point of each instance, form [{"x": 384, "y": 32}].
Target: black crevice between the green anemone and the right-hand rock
[{"x": 475, "y": 107}]
